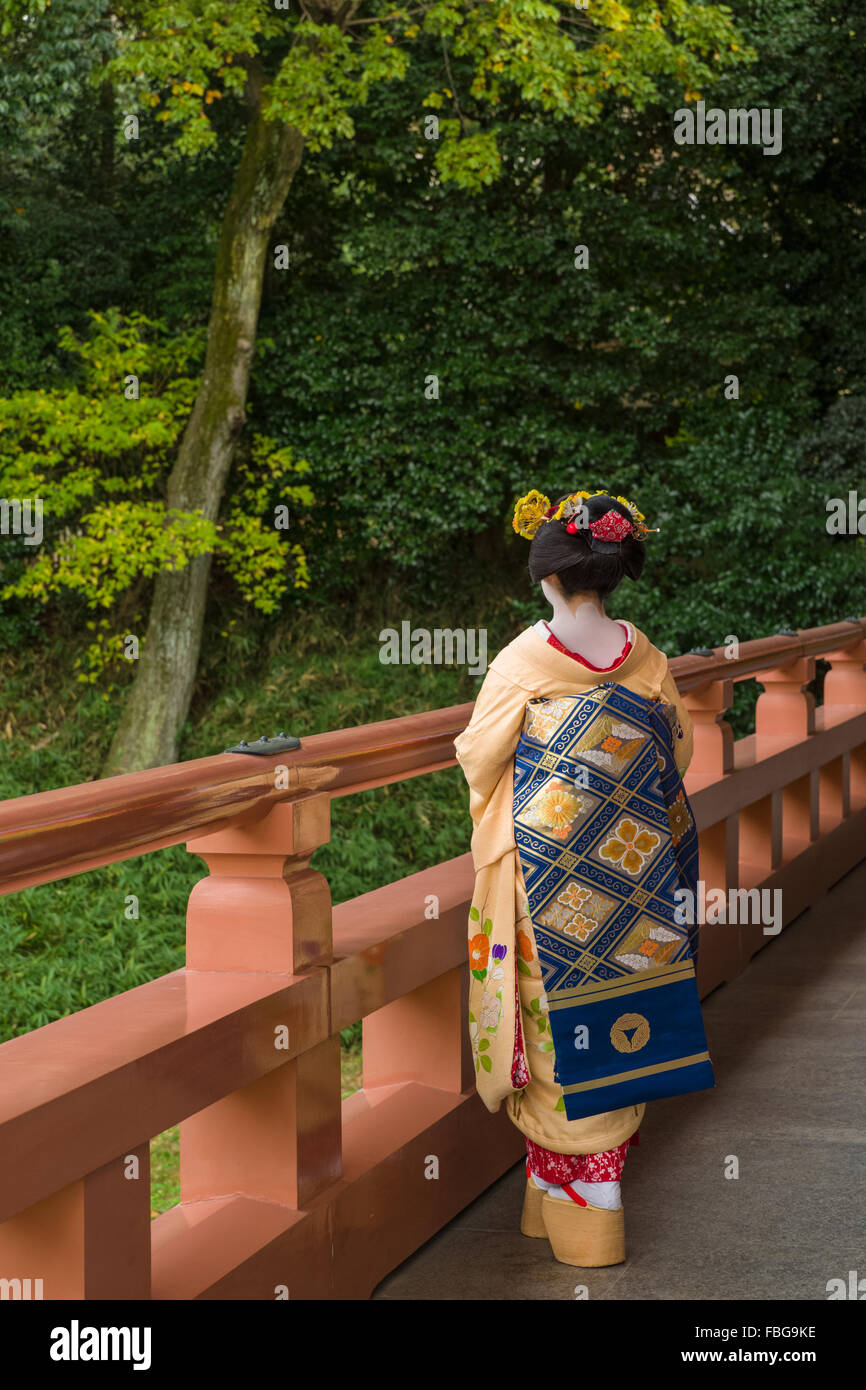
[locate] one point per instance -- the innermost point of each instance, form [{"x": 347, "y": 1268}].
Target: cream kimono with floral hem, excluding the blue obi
[{"x": 508, "y": 1006}]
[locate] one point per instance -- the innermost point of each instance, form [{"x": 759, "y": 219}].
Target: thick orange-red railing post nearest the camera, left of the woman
[{"x": 265, "y": 910}]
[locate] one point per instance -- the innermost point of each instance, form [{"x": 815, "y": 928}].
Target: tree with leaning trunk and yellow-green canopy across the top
[{"x": 290, "y": 83}]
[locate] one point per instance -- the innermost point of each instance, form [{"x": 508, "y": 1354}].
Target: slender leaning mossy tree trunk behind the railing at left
[{"x": 159, "y": 701}]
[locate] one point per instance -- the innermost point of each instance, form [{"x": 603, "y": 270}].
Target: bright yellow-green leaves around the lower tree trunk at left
[{"x": 101, "y": 461}]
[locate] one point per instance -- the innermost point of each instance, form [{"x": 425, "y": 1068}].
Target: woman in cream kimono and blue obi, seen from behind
[{"x": 583, "y": 995}]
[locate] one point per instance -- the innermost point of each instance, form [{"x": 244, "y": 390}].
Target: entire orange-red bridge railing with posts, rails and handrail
[{"x": 286, "y": 1192}]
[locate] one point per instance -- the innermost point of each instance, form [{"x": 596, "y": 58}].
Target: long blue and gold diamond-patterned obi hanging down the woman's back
[{"x": 607, "y": 837}]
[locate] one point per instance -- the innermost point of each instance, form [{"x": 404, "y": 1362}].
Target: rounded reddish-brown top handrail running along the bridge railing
[{"x": 54, "y": 835}]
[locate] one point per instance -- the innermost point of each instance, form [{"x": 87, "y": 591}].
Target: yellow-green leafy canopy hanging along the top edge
[{"x": 318, "y": 74}]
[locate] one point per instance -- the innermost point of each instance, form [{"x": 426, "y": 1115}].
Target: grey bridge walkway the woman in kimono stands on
[{"x": 789, "y": 1046}]
